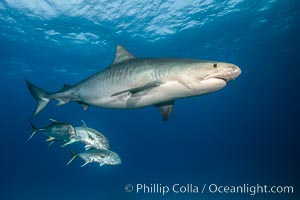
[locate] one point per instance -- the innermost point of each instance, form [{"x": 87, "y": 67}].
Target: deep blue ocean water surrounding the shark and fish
[{"x": 246, "y": 133}]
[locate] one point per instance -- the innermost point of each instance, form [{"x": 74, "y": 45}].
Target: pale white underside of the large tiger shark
[{"x": 168, "y": 91}]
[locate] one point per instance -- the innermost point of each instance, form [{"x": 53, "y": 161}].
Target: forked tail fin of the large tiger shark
[{"x": 40, "y": 96}]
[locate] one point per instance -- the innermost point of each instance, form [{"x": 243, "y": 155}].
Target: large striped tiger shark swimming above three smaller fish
[{"x": 131, "y": 82}]
